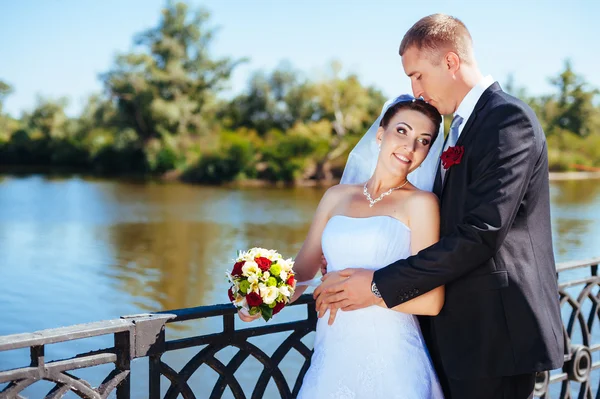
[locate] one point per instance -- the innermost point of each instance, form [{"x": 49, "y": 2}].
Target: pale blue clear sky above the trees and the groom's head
[{"x": 57, "y": 48}]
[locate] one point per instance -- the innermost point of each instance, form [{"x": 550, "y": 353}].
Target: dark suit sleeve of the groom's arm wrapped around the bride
[{"x": 507, "y": 150}]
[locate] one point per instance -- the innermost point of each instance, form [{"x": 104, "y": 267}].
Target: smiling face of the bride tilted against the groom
[{"x": 405, "y": 142}]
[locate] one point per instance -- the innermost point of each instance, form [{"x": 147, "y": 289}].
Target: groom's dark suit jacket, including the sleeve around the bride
[{"x": 501, "y": 316}]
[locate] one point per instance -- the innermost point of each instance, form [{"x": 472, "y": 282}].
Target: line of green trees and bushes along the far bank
[{"x": 161, "y": 113}]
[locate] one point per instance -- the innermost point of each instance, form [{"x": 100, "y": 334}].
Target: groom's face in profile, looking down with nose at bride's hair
[{"x": 429, "y": 79}]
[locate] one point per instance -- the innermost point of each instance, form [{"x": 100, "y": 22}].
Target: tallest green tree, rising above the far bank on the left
[{"x": 169, "y": 87}]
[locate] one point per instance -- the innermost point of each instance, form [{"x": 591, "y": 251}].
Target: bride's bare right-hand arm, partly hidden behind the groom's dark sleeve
[{"x": 424, "y": 214}]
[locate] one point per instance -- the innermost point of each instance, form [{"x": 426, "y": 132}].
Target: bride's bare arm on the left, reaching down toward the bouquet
[{"x": 308, "y": 260}]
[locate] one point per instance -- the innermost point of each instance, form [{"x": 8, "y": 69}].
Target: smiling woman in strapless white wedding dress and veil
[{"x": 379, "y": 214}]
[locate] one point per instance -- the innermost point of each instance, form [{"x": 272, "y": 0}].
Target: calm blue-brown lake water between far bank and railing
[{"x": 76, "y": 250}]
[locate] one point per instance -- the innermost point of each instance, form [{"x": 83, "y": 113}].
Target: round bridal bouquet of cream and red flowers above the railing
[{"x": 261, "y": 282}]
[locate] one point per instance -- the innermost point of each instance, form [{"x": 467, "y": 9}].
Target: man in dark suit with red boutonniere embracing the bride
[{"x": 501, "y": 320}]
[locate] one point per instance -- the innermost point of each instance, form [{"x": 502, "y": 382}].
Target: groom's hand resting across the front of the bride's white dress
[{"x": 351, "y": 291}]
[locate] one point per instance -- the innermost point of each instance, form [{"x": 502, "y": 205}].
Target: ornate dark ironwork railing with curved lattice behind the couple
[{"x": 144, "y": 336}]
